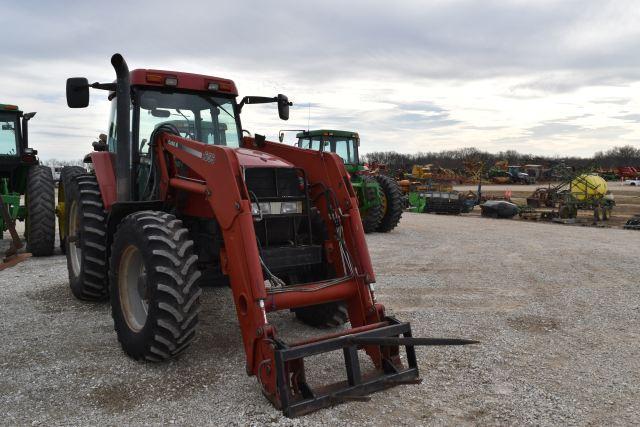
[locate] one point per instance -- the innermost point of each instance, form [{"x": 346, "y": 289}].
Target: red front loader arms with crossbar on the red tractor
[{"x": 219, "y": 186}]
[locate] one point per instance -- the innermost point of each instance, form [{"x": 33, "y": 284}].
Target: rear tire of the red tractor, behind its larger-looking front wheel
[{"x": 87, "y": 224}]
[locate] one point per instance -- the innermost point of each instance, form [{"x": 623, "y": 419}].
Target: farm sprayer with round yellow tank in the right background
[{"x": 575, "y": 192}]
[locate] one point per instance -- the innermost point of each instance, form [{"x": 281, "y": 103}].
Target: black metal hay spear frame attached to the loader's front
[{"x": 296, "y": 396}]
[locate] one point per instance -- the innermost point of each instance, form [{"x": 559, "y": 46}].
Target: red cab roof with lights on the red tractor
[{"x": 179, "y": 80}]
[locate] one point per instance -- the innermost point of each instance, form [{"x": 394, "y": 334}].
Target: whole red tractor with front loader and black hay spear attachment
[{"x": 166, "y": 204}]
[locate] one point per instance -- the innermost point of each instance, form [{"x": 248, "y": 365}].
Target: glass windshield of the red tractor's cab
[{"x": 200, "y": 117}]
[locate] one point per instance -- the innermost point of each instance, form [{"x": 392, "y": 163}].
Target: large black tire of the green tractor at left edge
[{"x": 41, "y": 214}]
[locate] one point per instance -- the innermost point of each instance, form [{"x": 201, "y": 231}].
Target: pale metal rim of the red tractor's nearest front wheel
[{"x": 133, "y": 289}]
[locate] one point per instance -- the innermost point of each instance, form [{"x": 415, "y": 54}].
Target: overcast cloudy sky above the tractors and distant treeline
[{"x": 550, "y": 77}]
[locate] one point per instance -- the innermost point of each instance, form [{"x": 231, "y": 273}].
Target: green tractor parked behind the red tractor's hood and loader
[{"x": 379, "y": 197}]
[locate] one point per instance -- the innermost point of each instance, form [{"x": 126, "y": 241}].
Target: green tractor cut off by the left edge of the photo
[{"x": 22, "y": 174}]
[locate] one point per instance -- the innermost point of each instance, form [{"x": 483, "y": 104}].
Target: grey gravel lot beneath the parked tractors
[{"x": 557, "y": 310}]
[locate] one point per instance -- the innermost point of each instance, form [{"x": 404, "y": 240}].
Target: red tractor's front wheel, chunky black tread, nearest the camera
[{"x": 152, "y": 285}]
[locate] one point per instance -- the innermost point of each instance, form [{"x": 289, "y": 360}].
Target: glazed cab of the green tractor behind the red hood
[{"x": 345, "y": 144}]
